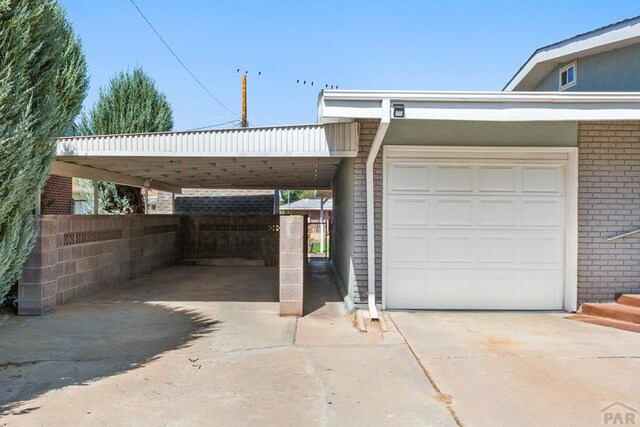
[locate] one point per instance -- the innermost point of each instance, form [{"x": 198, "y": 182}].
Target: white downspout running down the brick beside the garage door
[{"x": 371, "y": 244}]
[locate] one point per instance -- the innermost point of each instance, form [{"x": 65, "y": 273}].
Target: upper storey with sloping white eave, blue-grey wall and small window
[{"x": 602, "y": 60}]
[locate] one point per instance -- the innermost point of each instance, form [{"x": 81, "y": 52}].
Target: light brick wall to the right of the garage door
[{"x": 608, "y": 205}]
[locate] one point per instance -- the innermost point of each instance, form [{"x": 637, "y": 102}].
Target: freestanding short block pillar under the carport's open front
[{"x": 292, "y": 261}]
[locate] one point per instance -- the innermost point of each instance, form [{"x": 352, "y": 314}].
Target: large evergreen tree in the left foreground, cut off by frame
[{"x": 42, "y": 85}]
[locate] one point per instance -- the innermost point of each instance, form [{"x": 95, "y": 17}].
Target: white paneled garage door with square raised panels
[{"x": 474, "y": 234}]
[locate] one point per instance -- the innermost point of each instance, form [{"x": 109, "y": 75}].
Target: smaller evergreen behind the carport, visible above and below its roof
[{"x": 131, "y": 104}]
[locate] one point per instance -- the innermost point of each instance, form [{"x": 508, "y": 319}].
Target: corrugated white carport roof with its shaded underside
[{"x": 304, "y": 156}]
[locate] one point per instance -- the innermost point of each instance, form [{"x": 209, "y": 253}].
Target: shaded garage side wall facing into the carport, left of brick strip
[{"x": 342, "y": 233}]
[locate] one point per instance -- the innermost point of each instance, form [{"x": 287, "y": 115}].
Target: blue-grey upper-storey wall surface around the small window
[{"x": 612, "y": 71}]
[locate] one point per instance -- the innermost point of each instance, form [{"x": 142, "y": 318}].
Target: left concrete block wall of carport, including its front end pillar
[{"x": 77, "y": 255}]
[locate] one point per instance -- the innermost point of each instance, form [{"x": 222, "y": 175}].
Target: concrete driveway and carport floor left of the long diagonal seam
[{"x": 205, "y": 345}]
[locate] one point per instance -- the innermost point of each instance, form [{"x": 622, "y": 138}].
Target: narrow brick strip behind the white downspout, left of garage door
[{"x": 368, "y": 130}]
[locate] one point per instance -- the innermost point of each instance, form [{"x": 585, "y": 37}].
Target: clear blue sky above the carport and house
[{"x": 420, "y": 45}]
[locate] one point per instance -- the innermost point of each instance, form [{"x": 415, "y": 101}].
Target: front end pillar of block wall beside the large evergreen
[{"x": 39, "y": 283}]
